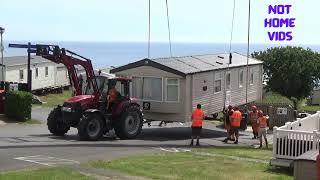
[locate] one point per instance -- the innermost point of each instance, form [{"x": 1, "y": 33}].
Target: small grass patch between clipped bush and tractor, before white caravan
[{"x": 52, "y": 100}]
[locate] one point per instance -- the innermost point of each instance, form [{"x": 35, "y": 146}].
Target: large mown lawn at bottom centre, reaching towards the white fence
[{"x": 191, "y": 166}]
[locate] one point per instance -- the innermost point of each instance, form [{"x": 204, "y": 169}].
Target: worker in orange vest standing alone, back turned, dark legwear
[{"x": 197, "y": 118}]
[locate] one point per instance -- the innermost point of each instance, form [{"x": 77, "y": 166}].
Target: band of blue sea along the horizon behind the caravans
[{"x": 105, "y": 54}]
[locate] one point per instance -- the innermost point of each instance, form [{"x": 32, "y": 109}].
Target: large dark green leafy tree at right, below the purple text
[{"x": 290, "y": 71}]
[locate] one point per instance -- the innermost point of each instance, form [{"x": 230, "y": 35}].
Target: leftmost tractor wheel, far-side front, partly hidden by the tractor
[{"x": 55, "y": 123}]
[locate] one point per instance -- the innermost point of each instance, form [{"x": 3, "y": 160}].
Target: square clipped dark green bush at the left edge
[{"x": 18, "y": 105}]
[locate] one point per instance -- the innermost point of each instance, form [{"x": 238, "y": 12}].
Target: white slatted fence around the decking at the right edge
[{"x": 296, "y": 138}]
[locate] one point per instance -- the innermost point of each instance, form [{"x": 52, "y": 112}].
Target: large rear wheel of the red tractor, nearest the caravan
[{"x": 130, "y": 123}]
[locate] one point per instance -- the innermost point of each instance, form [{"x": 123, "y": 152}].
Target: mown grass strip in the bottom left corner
[{"x": 60, "y": 173}]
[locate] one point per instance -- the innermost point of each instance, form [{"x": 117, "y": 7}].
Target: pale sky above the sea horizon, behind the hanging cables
[{"x": 203, "y": 21}]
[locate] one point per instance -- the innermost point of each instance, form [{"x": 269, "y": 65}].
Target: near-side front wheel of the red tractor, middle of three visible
[{"x": 90, "y": 127}]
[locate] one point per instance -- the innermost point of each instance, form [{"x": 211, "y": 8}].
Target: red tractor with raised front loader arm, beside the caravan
[{"x": 87, "y": 110}]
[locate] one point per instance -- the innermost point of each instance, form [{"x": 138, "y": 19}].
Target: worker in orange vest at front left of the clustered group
[{"x": 235, "y": 124}]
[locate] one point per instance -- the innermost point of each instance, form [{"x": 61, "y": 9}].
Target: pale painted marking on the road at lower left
[{"x": 46, "y": 160}]
